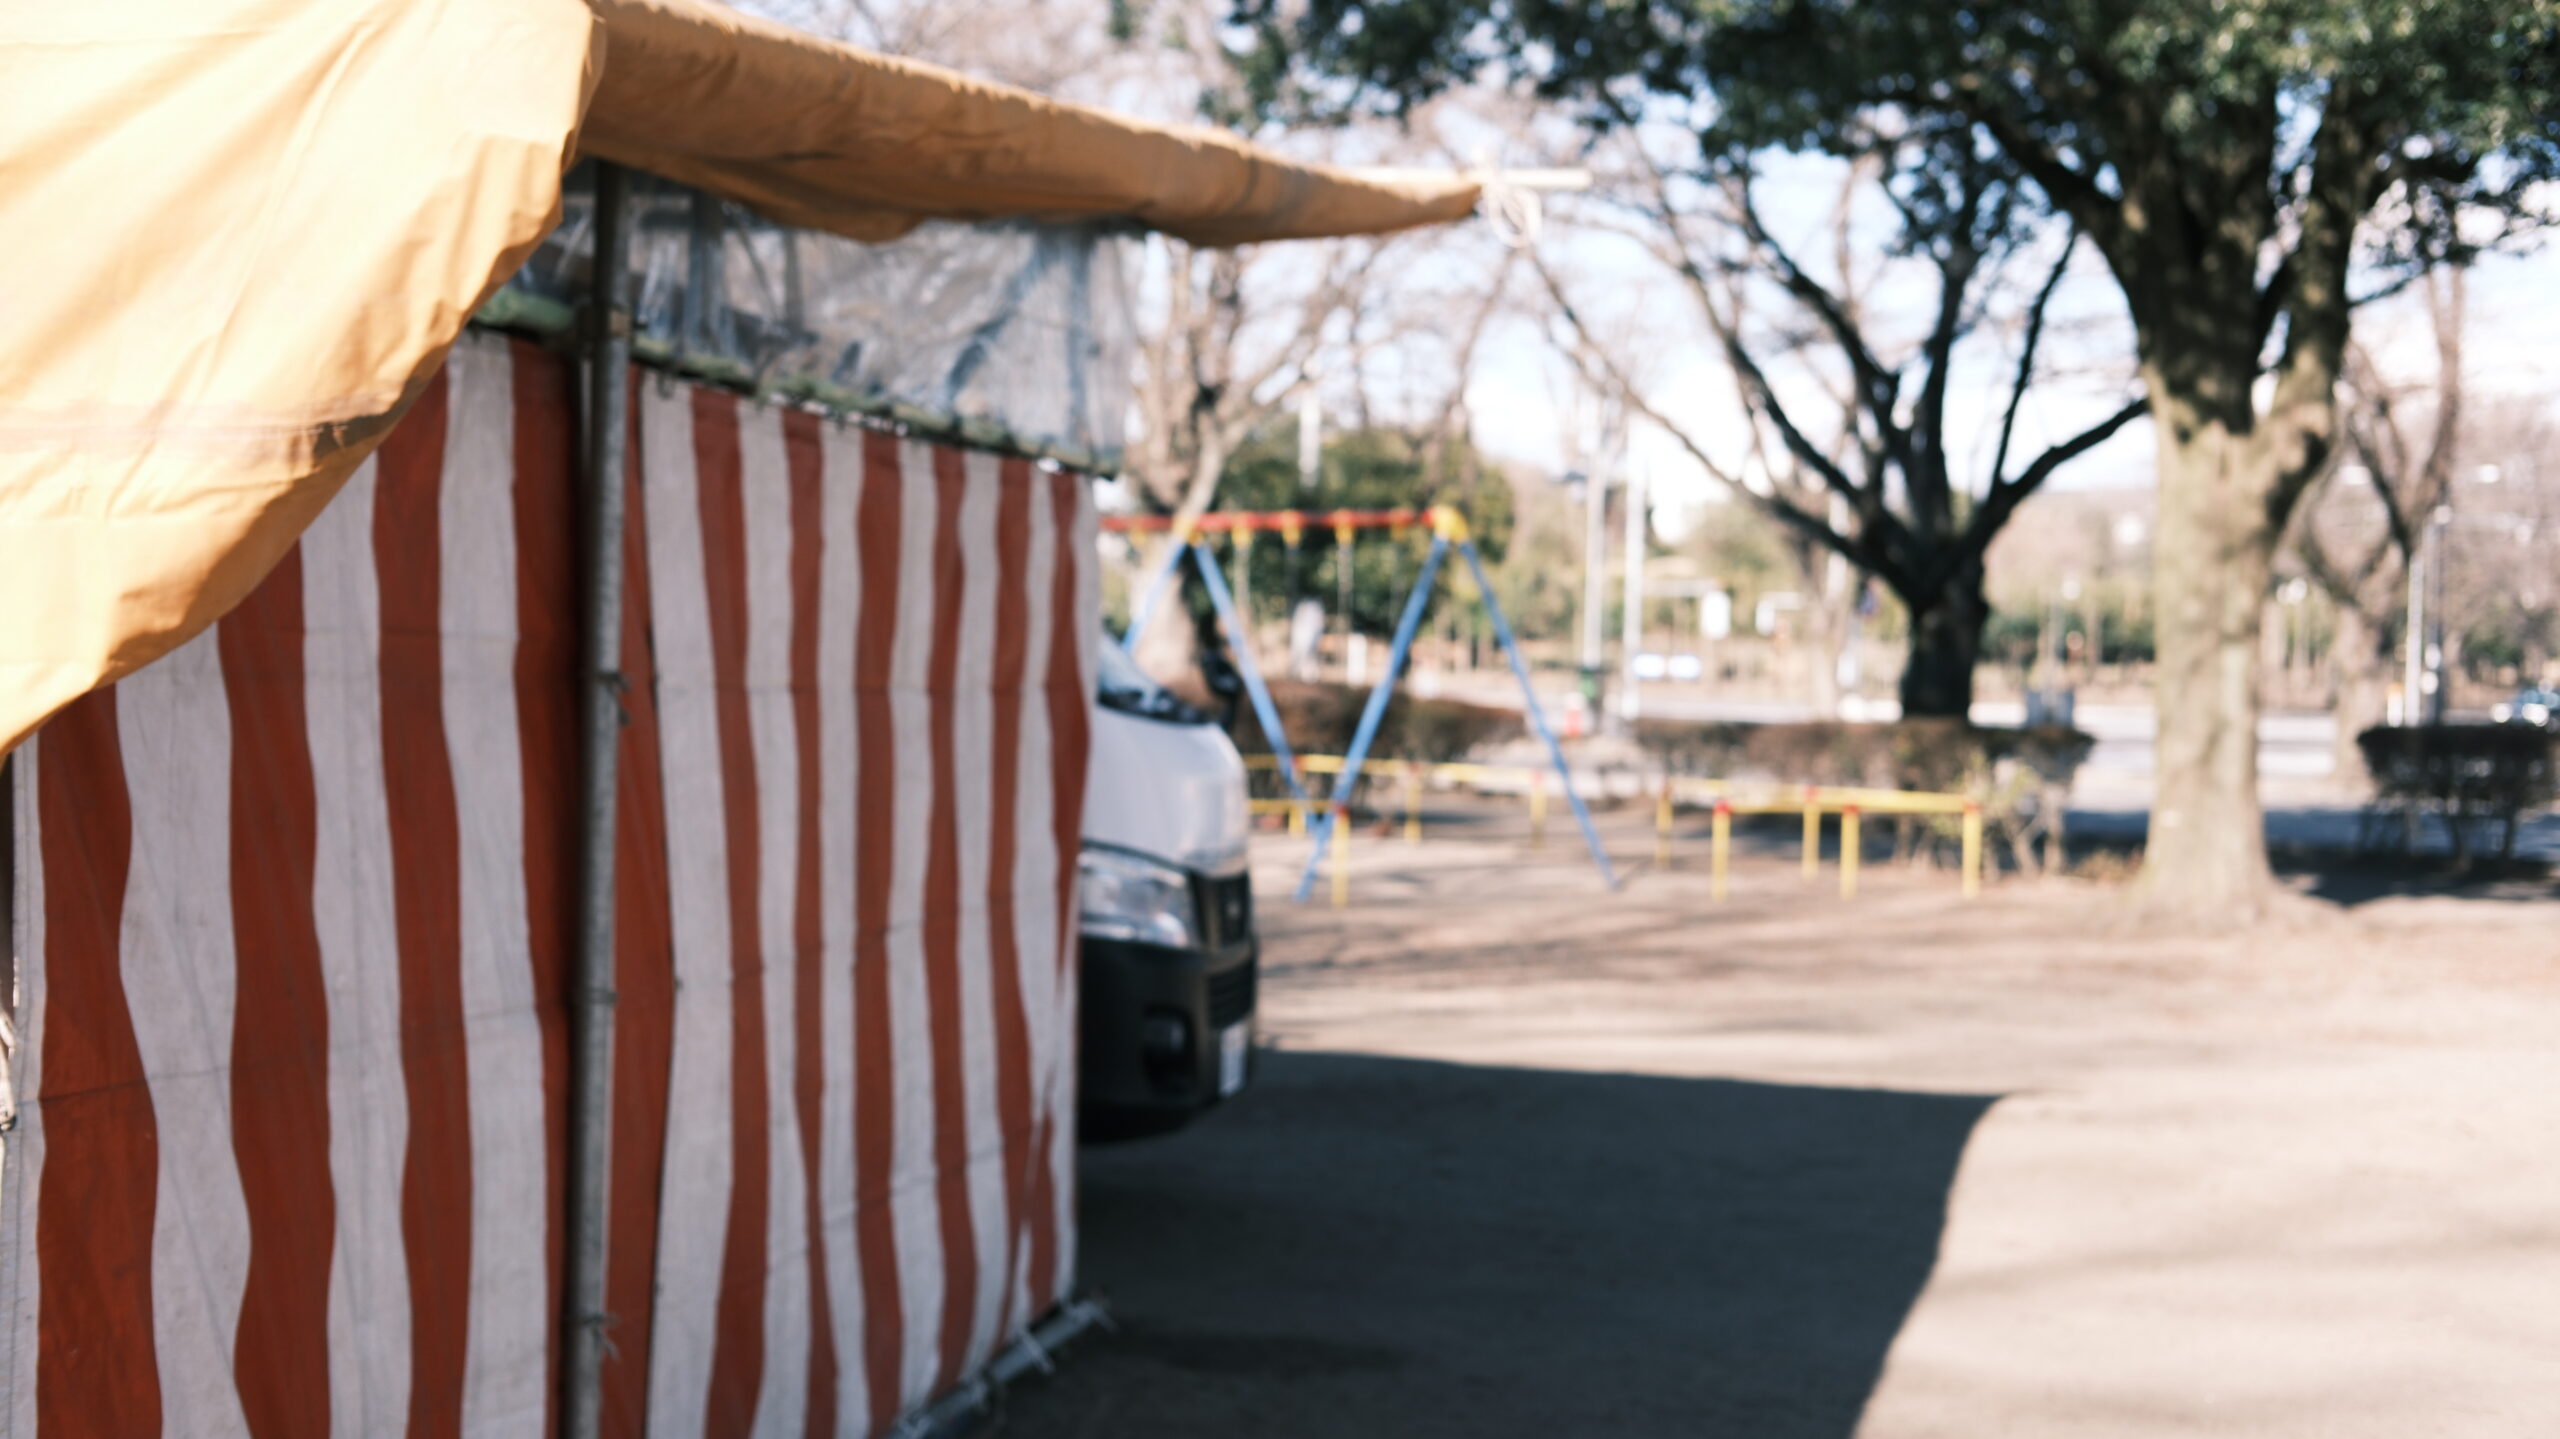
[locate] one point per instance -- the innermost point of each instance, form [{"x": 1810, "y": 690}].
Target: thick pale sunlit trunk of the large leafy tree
[{"x": 2211, "y": 577}]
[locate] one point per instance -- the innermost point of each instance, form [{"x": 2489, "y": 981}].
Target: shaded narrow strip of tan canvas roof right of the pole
[{"x": 841, "y": 140}]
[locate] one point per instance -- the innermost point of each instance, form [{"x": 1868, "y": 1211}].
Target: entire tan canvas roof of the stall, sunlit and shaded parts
[{"x": 242, "y": 234}]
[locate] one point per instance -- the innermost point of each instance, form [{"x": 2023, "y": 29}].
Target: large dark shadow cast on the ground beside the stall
[{"x": 1389, "y": 1248}]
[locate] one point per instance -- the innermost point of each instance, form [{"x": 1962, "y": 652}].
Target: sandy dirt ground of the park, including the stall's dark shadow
[{"x": 1535, "y": 1159}]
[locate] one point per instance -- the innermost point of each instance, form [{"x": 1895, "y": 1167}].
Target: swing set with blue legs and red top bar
[{"x": 1448, "y": 531}]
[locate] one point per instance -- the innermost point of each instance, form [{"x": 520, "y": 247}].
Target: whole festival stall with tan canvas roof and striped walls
[{"x": 541, "y": 854}]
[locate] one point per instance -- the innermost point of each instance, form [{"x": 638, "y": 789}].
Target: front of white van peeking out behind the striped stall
[{"x": 1166, "y": 910}]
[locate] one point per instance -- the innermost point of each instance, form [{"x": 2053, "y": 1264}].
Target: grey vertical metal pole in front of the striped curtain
[{"x": 593, "y": 964}]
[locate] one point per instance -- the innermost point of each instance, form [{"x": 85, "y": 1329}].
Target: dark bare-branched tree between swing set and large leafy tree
[{"x": 1878, "y": 485}]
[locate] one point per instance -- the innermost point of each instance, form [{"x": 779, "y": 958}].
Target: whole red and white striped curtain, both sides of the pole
[{"x": 296, "y": 905}]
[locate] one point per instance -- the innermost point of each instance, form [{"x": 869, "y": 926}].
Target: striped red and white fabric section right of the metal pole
[{"x": 844, "y": 626}]
